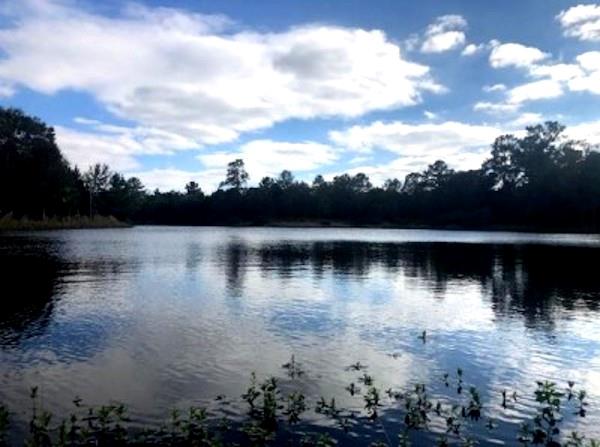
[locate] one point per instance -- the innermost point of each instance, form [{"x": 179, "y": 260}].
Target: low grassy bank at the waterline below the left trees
[{"x": 10, "y": 223}]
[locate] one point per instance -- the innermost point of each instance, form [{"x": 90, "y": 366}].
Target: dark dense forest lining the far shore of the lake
[{"x": 539, "y": 181}]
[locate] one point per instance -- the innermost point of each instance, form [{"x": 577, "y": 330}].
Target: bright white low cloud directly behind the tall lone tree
[{"x": 268, "y": 158}]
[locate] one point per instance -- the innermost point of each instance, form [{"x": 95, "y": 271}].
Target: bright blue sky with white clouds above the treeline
[{"x": 171, "y": 91}]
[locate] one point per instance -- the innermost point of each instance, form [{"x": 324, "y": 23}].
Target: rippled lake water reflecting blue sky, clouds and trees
[{"x": 169, "y": 316}]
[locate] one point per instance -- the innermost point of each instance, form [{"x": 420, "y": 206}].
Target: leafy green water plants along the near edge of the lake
[{"x": 275, "y": 412}]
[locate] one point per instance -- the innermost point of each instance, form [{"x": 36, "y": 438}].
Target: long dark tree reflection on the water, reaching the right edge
[{"x": 531, "y": 281}]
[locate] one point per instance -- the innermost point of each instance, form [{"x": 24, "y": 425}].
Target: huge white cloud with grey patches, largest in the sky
[{"x": 189, "y": 75}]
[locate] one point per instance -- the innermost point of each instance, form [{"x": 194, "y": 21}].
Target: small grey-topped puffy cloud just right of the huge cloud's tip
[{"x": 446, "y": 33}]
